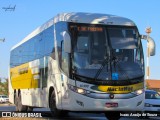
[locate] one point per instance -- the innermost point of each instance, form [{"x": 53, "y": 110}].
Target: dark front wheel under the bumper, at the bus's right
[{"x": 112, "y": 115}]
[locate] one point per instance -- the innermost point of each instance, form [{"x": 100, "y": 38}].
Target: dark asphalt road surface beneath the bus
[{"x": 46, "y": 115}]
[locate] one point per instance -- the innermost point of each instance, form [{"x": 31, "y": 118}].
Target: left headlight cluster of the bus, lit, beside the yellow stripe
[{"x": 78, "y": 90}]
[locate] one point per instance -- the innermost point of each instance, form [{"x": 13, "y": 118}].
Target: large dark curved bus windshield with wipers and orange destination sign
[{"x": 102, "y": 52}]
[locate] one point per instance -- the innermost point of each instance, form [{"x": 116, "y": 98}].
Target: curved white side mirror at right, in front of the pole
[{"x": 152, "y": 45}]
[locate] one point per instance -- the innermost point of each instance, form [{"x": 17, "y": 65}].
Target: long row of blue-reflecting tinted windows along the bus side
[{"x": 37, "y": 47}]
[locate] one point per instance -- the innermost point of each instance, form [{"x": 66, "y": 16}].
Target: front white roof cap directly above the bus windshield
[{"x": 93, "y": 18}]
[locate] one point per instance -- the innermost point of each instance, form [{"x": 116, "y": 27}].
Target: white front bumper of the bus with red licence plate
[{"x": 78, "y": 102}]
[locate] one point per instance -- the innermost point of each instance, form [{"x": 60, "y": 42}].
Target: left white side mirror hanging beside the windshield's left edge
[{"x": 67, "y": 42}]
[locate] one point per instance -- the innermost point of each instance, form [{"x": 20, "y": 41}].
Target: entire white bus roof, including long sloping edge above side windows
[{"x": 79, "y": 17}]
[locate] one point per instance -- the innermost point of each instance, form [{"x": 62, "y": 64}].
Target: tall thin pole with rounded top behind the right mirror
[{"x": 148, "y": 31}]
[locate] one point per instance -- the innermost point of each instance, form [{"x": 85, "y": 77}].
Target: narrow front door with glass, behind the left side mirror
[{"x": 62, "y": 60}]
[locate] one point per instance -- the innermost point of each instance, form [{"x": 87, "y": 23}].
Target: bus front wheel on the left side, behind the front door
[{"x": 53, "y": 108}]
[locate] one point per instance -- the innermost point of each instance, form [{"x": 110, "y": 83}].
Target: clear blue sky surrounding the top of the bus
[{"x": 30, "y": 14}]
